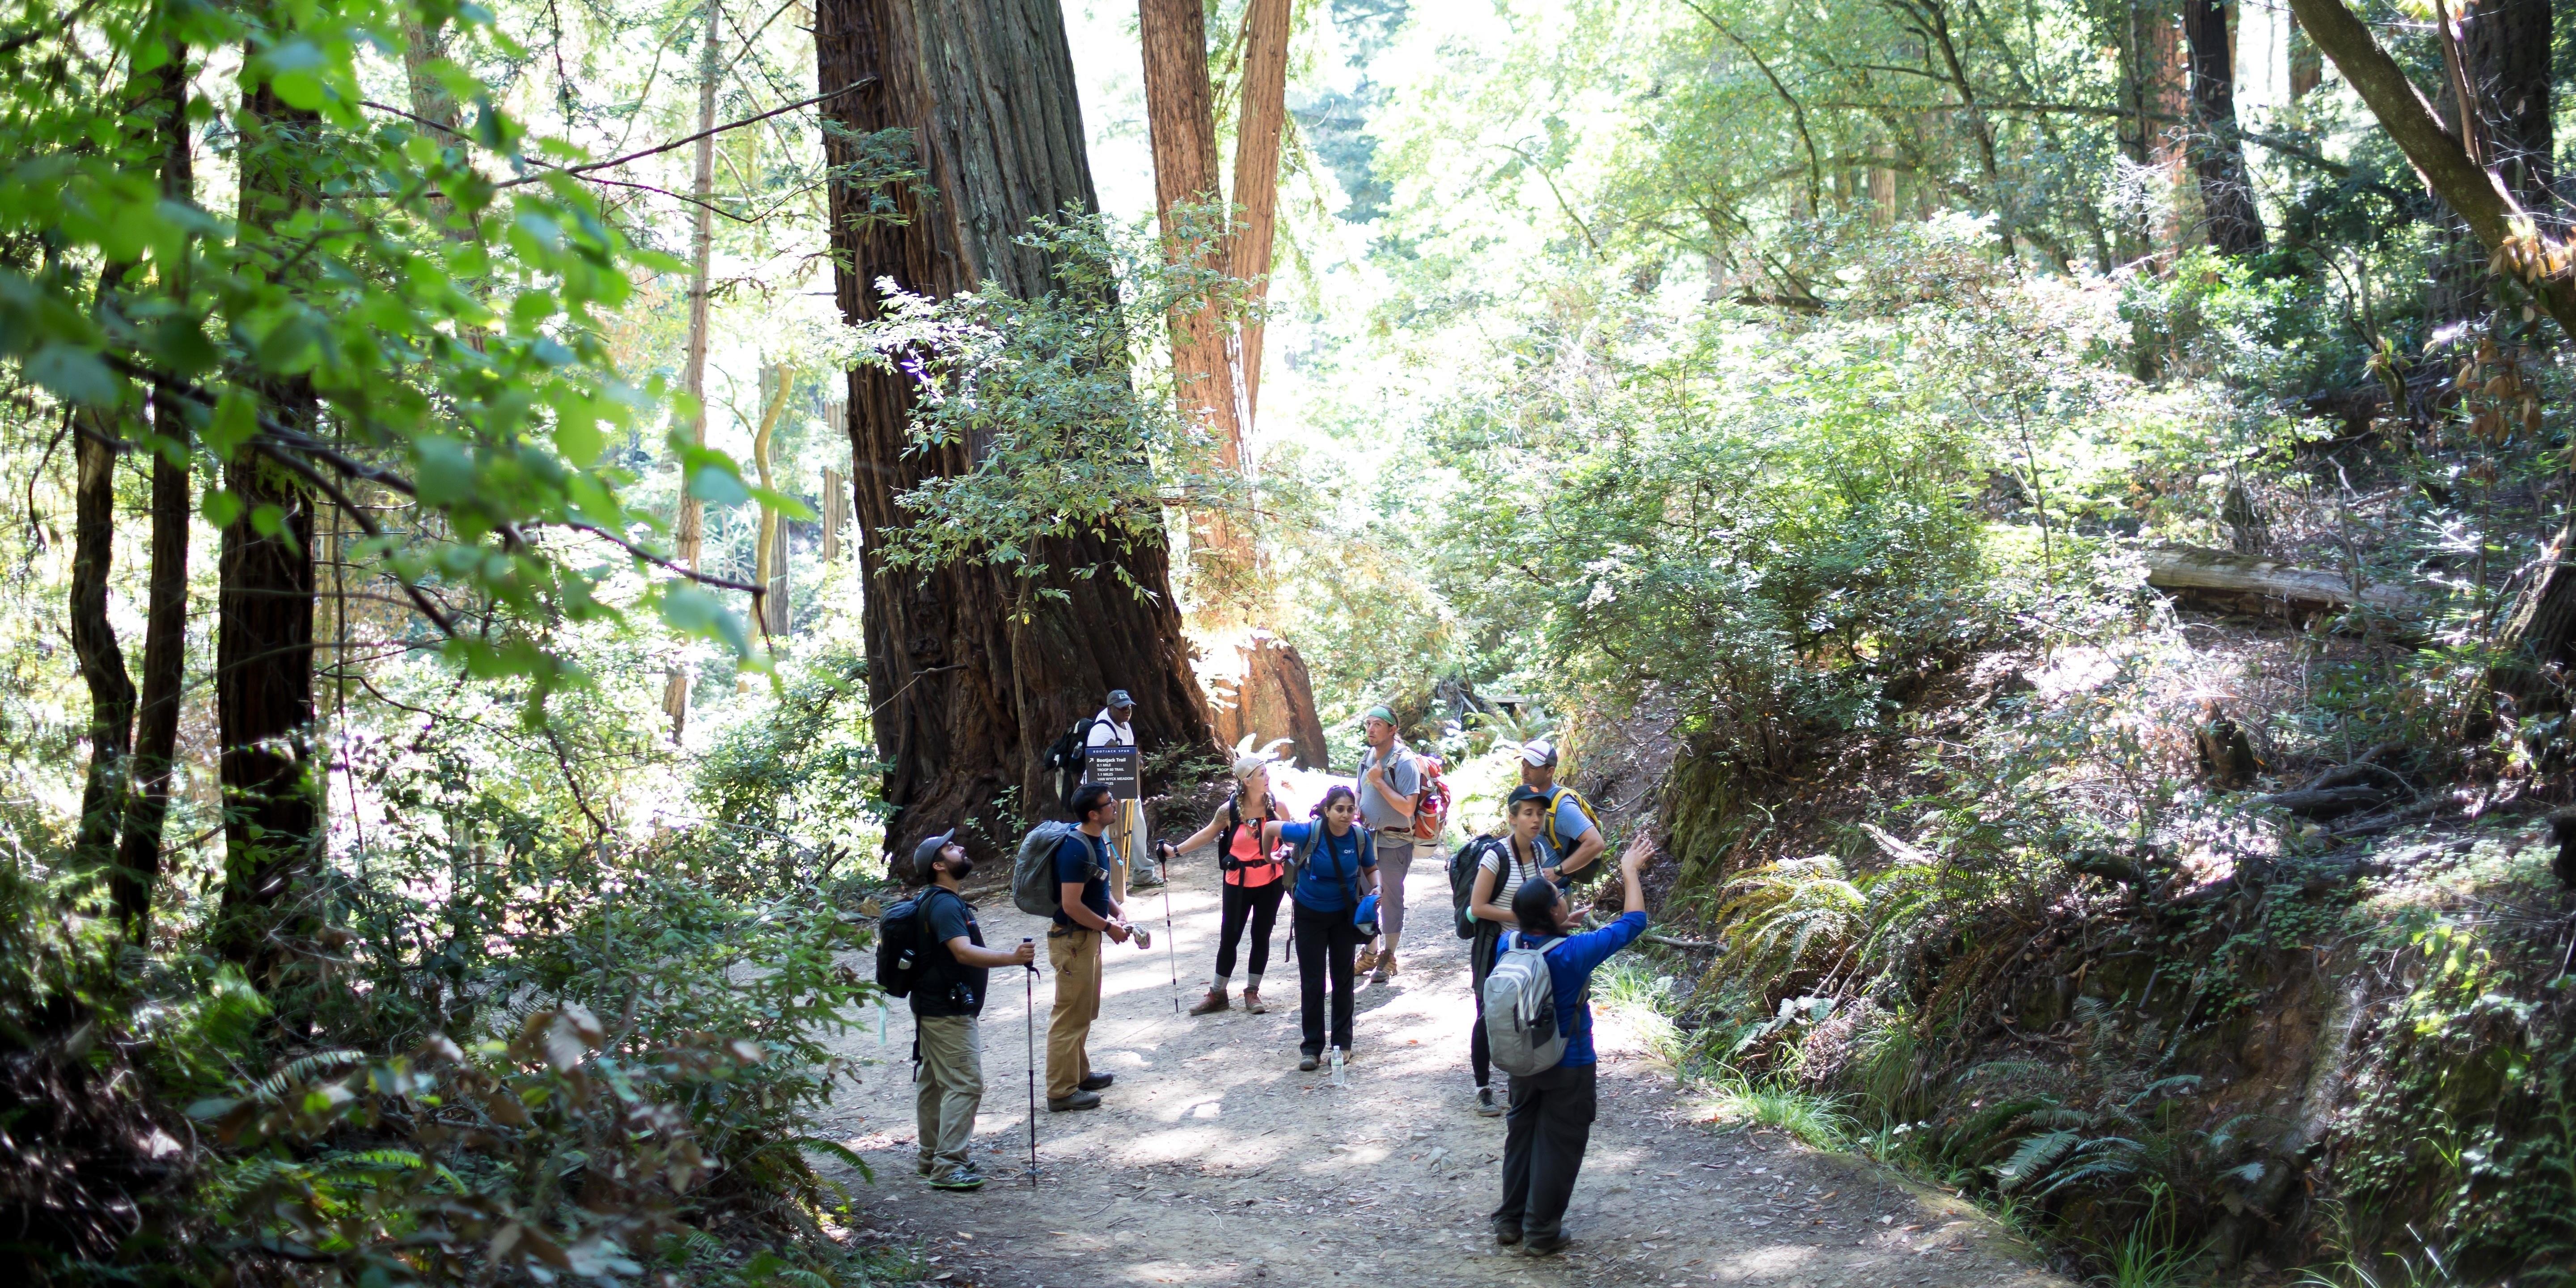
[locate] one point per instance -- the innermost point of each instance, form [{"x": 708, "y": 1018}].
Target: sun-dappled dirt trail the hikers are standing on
[{"x": 1220, "y": 1163}]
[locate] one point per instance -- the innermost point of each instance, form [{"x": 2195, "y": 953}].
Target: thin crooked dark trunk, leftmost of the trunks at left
[{"x": 94, "y": 640}]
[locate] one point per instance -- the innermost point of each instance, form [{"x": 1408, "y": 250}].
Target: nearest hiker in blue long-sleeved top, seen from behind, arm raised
[{"x": 1552, "y": 1112}]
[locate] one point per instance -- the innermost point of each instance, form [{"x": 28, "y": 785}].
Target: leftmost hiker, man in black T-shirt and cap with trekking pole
[{"x": 947, "y": 1003}]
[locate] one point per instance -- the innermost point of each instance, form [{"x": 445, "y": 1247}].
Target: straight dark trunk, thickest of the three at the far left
[{"x": 264, "y": 656}]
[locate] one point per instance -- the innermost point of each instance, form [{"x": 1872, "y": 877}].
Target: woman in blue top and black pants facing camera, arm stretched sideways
[{"x": 1336, "y": 869}]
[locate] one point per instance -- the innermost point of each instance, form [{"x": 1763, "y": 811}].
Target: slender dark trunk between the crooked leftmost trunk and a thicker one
[{"x": 166, "y": 614}]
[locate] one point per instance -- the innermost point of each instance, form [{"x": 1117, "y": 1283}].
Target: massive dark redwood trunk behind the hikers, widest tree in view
[{"x": 970, "y": 692}]
